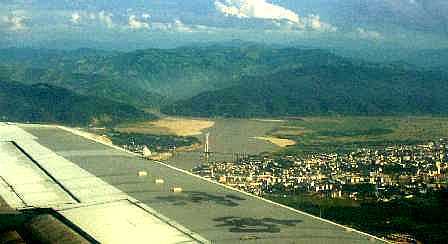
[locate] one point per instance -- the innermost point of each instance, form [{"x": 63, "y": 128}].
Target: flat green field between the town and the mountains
[{"x": 342, "y": 134}]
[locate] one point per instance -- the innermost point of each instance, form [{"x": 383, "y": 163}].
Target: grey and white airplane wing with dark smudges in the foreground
[{"x": 99, "y": 193}]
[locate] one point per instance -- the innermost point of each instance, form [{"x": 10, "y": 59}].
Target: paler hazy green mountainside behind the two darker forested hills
[{"x": 152, "y": 77}]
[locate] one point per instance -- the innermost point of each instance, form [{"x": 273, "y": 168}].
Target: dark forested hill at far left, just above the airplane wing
[{"x": 50, "y": 104}]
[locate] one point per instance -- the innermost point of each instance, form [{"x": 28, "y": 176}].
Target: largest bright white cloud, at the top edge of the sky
[{"x": 259, "y": 9}]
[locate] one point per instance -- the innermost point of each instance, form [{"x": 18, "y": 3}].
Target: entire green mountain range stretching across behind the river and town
[{"x": 244, "y": 80}]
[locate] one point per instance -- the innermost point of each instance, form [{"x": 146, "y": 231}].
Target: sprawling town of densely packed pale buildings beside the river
[{"x": 401, "y": 171}]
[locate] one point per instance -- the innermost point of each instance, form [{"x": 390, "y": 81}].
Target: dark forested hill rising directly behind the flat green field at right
[{"x": 342, "y": 87}]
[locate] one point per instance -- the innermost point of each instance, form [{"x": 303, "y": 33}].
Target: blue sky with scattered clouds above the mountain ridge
[{"x": 128, "y": 24}]
